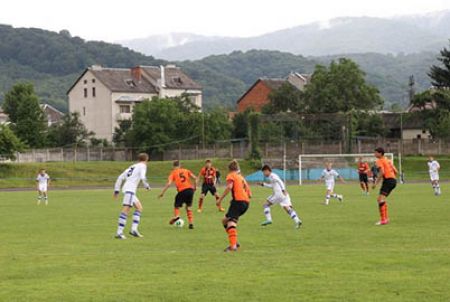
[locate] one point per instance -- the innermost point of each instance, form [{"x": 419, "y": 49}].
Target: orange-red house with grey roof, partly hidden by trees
[{"x": 257, "y": 96}]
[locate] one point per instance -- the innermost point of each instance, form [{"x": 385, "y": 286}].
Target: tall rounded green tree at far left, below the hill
[{"x": 26, "y": 116}]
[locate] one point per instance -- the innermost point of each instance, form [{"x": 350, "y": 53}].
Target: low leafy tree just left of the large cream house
[{"x": 70, "y": 132}]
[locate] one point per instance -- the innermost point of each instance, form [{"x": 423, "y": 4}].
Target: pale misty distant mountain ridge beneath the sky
[{"x": 405, "y": 34}]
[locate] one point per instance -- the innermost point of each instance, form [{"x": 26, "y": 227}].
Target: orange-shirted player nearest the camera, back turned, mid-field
[{"x": 239, "y": 204}]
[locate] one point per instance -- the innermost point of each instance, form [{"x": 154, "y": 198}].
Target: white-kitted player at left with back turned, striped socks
[{"x": 132, "y": 177}]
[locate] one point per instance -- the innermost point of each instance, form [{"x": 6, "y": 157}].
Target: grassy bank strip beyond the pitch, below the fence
[{"x": 95, "y": 174}]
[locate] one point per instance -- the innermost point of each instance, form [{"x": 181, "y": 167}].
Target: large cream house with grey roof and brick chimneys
[{"x": 106, "y": 96}]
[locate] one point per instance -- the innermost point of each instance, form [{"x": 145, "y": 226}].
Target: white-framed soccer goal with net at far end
[{"x": 310, "y": 166}]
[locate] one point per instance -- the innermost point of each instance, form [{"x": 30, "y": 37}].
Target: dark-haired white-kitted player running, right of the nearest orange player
[{"x": 279, "y": 196}]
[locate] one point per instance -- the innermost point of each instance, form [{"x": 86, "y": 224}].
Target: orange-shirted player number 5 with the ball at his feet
[{"x": 182, "y": 179}]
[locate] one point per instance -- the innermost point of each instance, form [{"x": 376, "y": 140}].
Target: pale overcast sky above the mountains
[{"x": 115, "y": 20}]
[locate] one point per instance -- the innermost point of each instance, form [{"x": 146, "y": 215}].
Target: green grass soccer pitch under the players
[{"x": 66, "y": 251}]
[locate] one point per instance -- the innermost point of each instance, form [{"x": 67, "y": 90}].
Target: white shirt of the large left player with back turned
[{"x": 132, "y": 177}]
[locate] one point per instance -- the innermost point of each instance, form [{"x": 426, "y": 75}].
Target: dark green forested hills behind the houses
[{"x": 52, "y": 61}]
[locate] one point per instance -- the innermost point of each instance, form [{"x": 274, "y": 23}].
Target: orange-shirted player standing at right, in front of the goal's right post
[{"x": 387, "y": 173}]
